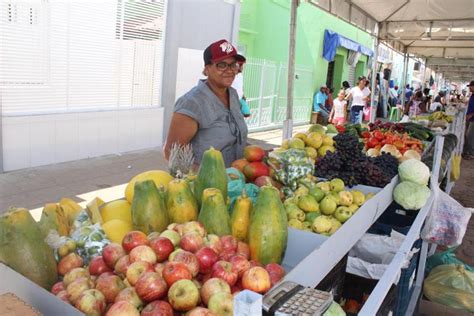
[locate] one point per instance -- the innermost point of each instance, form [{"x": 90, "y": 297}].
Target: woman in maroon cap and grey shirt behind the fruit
[{"x": 209, "y": 114}]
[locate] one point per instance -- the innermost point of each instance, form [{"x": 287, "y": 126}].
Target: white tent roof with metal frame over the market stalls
[{"x": 438, "y": 30}]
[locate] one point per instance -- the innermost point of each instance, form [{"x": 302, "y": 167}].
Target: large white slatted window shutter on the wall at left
[{"x": 59, "y": 56}]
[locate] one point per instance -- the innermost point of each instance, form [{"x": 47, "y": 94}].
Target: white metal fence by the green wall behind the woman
[{"x": 265, "y": 84}]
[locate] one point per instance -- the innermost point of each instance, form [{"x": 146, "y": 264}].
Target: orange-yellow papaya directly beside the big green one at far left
[{"x": 53, "y": 218}]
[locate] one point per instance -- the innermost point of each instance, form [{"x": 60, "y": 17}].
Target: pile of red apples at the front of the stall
[{"x": 180, "y": 270}]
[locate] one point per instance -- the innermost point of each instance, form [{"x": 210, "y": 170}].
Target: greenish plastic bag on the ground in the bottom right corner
[{"x": 451, "y": 285}]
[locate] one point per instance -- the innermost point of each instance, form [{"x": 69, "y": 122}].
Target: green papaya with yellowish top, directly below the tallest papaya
[{"x": 213, "y": 214}]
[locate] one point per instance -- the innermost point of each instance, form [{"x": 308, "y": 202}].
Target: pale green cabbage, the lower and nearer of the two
[{"x": 412, "y": 196}]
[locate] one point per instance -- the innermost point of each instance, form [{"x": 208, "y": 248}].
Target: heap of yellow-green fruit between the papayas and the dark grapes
[{"x": 323, "y": 207}]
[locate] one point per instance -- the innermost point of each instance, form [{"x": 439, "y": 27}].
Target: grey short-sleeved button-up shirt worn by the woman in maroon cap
[{"x": 224, "y": 129}]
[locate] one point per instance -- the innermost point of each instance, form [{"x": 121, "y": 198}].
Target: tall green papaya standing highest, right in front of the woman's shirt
[{"x": 211, "y": 174}]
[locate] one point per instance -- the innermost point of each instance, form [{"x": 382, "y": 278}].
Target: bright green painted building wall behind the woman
[{"x": 264, "y": 32}]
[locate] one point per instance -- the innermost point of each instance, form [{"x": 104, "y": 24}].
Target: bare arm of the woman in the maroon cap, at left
[{"x": 182, "y": 130}]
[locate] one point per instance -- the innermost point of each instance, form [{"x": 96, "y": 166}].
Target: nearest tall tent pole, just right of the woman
[{"x": 288, "y": 123}]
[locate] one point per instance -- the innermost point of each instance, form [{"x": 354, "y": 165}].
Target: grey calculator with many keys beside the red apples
[{"x": 289, "y": 298}]
